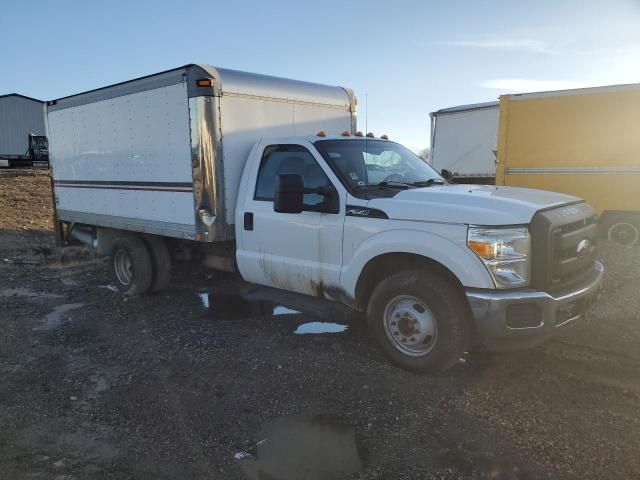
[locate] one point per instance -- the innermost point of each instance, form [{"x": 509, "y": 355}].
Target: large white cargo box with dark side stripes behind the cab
[{"x": 163, "y": 154}]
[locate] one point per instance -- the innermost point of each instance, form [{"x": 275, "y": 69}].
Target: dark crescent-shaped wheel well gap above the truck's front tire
[{"x": 388, "y": 264}]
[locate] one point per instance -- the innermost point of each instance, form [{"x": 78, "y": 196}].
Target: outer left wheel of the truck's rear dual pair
[{"x": 131, "y": 266}]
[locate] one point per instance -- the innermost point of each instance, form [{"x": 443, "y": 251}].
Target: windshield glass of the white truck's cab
[{"x": 365, "y": 164}]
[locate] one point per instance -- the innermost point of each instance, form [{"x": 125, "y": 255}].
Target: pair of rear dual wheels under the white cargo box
[{"x": 140, "y": 264}]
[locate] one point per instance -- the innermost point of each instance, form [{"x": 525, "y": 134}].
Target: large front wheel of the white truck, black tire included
[{"x": 446, "y": 307}]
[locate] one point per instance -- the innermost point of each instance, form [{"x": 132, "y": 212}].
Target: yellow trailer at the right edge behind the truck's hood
[{"x": 584, "y": 142}]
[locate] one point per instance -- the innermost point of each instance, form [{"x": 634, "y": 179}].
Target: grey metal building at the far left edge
[{"x": 19, "y": 116}]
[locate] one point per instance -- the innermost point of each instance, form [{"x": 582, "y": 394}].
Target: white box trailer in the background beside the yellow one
[{"x": 463, "y": 140}]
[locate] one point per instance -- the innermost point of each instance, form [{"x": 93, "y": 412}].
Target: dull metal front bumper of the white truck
[{"x": 523, "y": 318}]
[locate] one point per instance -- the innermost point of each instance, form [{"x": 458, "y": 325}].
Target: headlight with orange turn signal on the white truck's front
[{"x": 505, "y": 251}]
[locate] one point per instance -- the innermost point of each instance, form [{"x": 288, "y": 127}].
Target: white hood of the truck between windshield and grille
[{"x": 470, "y": 204}]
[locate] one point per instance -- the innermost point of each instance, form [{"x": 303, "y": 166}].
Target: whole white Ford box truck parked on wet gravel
[{"x": 267, "y": 177}]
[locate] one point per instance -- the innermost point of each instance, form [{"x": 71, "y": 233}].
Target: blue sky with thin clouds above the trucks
[{"x": 408, "y": 57}]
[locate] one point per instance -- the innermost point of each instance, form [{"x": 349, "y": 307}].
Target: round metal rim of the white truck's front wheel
[{"x": 410, "y": 325}]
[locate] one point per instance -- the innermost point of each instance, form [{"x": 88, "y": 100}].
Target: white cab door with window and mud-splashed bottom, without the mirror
[{"x": 299, "y": 252}]
